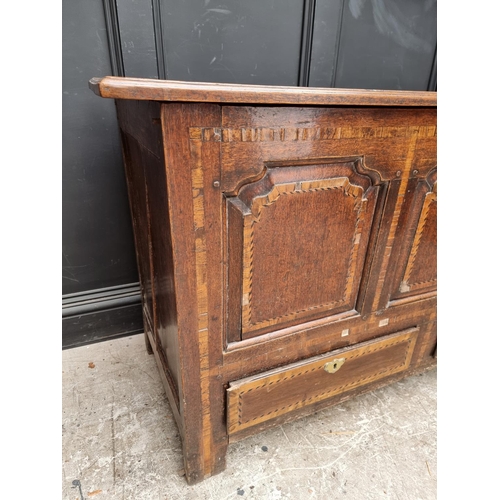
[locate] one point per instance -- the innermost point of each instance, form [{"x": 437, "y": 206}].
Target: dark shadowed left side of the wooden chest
[{"x": 146, "y": 182}]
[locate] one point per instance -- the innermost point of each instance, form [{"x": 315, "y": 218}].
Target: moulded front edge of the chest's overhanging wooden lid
[{"x": 114, "y": 87}]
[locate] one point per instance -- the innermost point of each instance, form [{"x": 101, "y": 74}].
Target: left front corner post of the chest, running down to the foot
[{"x": 190, "y": 165}]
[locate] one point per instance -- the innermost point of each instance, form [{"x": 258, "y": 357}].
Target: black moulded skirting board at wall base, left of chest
[{"x": 103, "y": 314}]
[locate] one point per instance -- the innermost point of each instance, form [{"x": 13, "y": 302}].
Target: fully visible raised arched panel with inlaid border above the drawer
[{"x": 297, "y": 242}]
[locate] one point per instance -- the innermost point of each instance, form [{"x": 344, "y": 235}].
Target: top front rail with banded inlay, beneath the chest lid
[{"x": 254, "y": 136}]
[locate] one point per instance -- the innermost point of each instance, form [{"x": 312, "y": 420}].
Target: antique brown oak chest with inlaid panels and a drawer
[{"x": 271, "y": 239}]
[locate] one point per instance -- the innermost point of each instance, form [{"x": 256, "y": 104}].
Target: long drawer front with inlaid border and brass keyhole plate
[{"x": 268, "y": 395}]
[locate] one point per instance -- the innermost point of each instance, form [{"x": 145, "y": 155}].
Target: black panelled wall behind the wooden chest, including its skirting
[{"x": 380, "y": 44}]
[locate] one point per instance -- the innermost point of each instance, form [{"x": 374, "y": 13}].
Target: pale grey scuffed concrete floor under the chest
[{"x": 120, "y": 440}]
